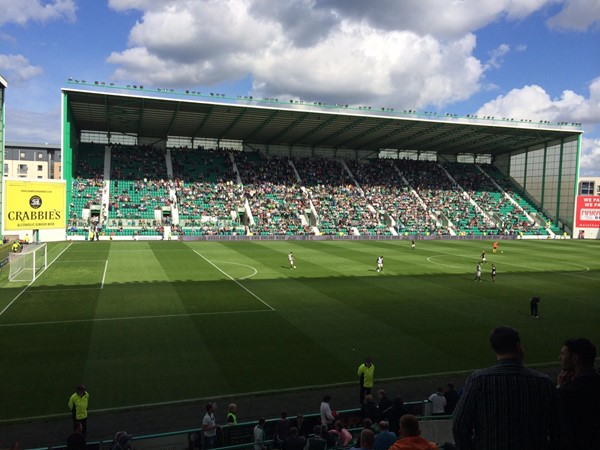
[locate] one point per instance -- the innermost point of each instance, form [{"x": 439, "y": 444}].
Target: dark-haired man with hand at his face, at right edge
[{"x": 579, "y": 388}]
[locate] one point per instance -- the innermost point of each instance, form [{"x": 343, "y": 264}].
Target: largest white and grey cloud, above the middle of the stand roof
[{"x": 405, "y": 55}]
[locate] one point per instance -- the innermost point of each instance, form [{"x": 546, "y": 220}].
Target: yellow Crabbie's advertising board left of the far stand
[{"x": 33, "y": 205}]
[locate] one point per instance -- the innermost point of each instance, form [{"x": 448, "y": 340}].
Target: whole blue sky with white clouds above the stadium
[{"x": 537, "y": 59}]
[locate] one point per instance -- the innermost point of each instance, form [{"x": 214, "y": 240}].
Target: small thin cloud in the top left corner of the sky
[{"x": 23, "y": 11}]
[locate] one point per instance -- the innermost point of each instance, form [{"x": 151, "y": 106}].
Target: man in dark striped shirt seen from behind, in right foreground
[{"x": 507, "y": 406}]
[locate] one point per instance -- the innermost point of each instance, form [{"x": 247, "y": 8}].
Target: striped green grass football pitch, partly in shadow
[{"x": 150, "y": 322}]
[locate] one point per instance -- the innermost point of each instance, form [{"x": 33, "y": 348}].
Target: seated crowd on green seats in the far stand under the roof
[{"x": 229, "y": 192}]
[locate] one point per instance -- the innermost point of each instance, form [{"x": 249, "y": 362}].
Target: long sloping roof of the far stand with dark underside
[{"x": 151, "y": 114}]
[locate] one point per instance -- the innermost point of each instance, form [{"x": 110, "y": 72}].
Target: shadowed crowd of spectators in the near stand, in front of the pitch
[{"x": 504, "y": 406}]
